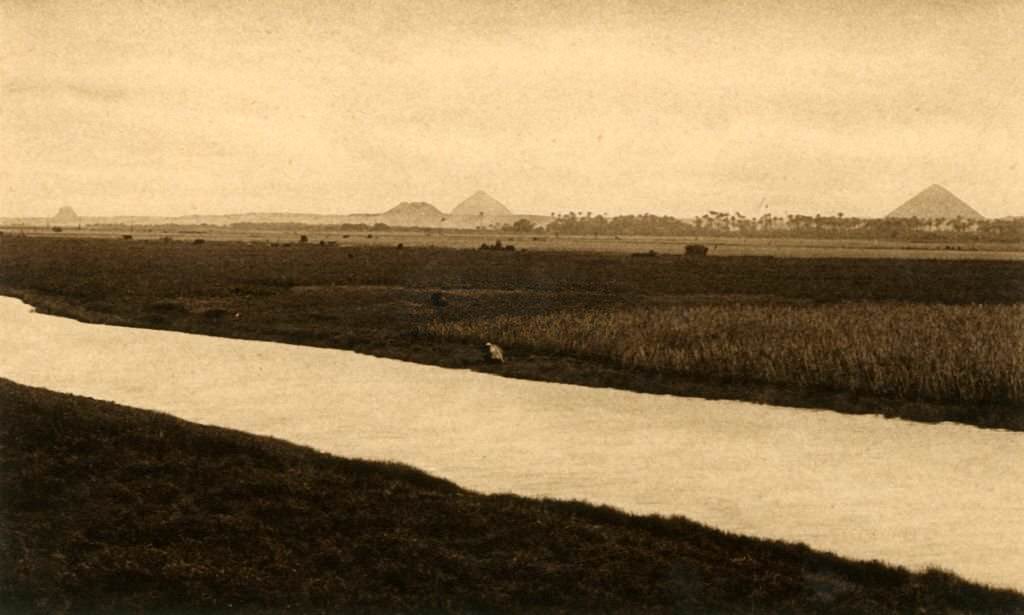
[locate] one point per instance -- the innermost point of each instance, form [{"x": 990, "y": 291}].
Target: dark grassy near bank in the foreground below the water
[{"x": 113, "y": 509}]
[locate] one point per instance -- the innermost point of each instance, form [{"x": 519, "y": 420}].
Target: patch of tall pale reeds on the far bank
[{"x": 972, "y": 354}]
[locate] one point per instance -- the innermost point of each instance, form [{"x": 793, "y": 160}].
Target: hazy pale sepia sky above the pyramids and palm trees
[{"x": 177, "y": 108}]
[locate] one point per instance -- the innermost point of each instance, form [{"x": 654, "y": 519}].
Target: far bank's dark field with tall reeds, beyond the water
[{"x": 917, "y": 339}]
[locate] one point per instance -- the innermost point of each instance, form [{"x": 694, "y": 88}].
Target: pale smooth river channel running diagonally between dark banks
[{"x": 866, "y": 488}]
